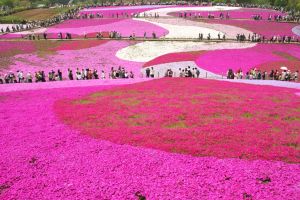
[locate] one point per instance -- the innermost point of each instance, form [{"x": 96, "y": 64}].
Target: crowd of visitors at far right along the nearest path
[{"x": 256, "y": 74}]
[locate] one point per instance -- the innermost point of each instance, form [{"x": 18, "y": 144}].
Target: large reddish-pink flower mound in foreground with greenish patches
[{"x": 197, "y": 117}]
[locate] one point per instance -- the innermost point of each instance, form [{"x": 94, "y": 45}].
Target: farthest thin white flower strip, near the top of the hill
[{"x": 164, "y": 11}]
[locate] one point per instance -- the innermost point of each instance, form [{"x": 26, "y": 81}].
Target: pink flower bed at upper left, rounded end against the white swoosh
[{"x": 79, "y": 27}]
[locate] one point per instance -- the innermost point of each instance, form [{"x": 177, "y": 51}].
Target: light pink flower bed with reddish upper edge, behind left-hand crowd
[{"x": 51, "y": 55}]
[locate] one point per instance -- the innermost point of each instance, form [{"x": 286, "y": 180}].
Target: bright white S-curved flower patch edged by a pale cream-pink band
[{"x": 181, "y": 31}]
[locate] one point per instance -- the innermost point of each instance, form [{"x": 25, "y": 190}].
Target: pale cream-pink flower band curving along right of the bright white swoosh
[{"x": 230, "y": 31}]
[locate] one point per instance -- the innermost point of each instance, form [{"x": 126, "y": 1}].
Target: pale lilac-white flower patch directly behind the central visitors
[{"x": 160, "y": 70}]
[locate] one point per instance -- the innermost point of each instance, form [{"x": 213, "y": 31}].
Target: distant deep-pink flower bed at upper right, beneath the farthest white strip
[{"x": 243, "y": 13}]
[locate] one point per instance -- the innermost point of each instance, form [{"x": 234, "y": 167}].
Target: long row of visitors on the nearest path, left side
[{"x": 80, "y": 74}]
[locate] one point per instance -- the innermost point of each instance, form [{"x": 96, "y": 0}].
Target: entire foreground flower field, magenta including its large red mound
[{"x": 54, "y": 157}]
